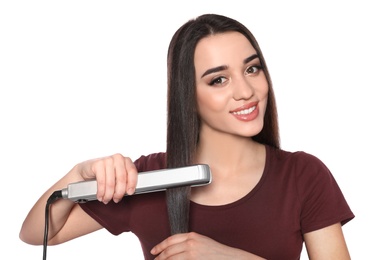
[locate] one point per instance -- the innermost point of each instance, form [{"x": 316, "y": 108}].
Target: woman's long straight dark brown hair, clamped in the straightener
[{"x": 183, "y": 120}]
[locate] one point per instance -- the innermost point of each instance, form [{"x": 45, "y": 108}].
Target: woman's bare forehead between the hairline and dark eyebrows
[{"x": 222, "y": 49}]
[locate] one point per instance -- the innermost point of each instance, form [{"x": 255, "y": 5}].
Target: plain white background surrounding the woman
[{"x": 83, "y": 79}]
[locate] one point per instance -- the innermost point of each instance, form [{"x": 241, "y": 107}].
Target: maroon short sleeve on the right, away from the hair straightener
[{"x": 322, "y": 202}]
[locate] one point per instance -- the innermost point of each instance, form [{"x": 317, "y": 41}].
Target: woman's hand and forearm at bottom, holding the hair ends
[{"x": 196, "y": 246}]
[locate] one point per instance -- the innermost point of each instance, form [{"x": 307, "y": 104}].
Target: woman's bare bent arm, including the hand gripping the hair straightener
[{"x": 115, "y": 175}]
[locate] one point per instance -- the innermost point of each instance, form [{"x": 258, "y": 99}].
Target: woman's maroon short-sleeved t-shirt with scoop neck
[{"x": 296, "y": 194}]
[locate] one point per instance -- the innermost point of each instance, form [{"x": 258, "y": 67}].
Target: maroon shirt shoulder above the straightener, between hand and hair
[{"x": 150, "y": 162}]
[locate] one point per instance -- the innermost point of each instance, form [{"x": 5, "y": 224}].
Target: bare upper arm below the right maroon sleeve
[{"x": 327, "y": 243}]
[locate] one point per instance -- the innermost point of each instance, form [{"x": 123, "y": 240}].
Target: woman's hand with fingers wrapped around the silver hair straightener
[{"x": 116, "y": 176}]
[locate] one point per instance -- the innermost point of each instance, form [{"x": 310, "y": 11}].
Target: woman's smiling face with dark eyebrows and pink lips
[{"x": 231, "y": 87}]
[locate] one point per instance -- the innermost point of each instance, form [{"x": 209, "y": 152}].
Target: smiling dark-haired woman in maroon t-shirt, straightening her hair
[{"x": 263, "y": 202}]
